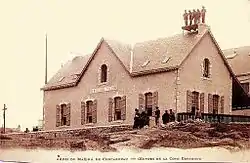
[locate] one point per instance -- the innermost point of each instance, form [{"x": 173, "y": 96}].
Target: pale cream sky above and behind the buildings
[{"x": 77, "y": 26}]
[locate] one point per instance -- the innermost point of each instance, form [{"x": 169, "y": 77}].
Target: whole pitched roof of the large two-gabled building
[{"x": 159, "y": 55}]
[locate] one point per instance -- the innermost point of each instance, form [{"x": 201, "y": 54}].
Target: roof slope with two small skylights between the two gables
[{"x": 163, "y": 53}]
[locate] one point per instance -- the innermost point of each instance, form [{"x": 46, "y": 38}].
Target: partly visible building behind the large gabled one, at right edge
[{"x": 239, "y": 60}]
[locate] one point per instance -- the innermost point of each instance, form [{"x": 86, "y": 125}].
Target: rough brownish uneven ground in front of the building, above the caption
[{"x": 177, "y": 135}]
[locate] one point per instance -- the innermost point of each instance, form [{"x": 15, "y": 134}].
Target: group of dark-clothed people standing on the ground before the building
[{"x": 142, "y": 119}]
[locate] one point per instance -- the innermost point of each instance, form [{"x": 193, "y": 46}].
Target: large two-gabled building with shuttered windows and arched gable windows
[{"x": 182, "y": 72}]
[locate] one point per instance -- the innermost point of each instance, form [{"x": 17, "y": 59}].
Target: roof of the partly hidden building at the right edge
[{"x": 239, "y": 59}]
